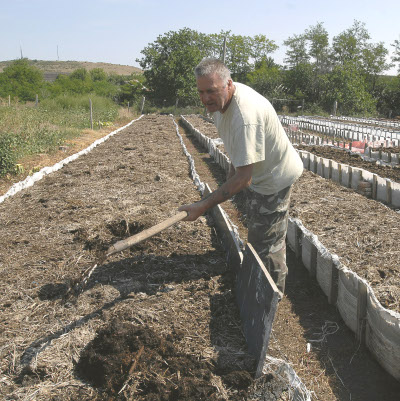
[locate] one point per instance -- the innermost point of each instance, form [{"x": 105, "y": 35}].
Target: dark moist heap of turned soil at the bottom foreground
[{"x": 122, "y": 352}]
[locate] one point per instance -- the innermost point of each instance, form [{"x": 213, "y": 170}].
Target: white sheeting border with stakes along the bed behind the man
[{"x": 375, "y": 326}]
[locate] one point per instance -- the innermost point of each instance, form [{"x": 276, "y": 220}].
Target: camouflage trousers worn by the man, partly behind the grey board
[{"x": 267, "y": 221}]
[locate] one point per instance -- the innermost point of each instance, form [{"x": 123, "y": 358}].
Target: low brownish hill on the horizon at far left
[{"x": 53, "y": 68}]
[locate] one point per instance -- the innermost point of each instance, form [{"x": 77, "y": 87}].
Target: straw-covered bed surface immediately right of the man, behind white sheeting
[{"x": 363, "y": 232}]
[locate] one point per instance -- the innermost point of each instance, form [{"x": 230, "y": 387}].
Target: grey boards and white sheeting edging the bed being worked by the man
[{"x": 251, "y": 273}]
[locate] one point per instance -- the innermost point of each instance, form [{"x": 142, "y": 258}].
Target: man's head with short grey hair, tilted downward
[{"x": 214, "y": 84}]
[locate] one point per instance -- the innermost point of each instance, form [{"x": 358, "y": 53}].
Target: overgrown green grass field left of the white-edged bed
[{"x": 27, "y": 130}]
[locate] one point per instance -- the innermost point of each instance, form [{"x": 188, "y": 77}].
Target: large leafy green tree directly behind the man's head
[{"x": 169, "y": 61}]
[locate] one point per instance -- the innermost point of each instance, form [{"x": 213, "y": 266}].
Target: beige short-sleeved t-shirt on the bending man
[{"x": 252, "y": 134}]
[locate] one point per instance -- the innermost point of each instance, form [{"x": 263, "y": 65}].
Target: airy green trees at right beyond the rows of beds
[{"x": 347, "y": 72}]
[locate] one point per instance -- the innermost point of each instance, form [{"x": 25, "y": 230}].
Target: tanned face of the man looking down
[{"x": 214, "y": 93}]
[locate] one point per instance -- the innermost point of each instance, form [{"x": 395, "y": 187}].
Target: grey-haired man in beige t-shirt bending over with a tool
[{"x": 263, "y": 162}]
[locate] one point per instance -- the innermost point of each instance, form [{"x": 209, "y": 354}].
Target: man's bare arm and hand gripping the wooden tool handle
[{"x": 239, "y": 180}]
